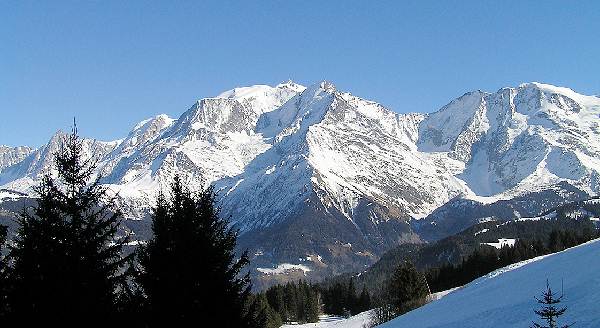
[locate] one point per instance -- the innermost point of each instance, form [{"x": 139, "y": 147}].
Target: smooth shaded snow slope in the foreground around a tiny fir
[{"x": 505, "y": 298}]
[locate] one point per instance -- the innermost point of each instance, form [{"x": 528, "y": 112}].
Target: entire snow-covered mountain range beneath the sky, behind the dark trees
[{"x": 324, "y": 180}]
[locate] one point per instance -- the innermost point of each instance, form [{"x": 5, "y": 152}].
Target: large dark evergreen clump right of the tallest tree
[{"x": 189, "y": 271}]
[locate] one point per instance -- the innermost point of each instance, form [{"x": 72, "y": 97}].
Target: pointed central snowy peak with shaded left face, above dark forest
[{"x": 342, "y": 149}]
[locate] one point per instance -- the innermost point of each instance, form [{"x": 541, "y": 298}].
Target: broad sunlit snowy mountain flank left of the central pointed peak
[{"x": 212, "y": 140}]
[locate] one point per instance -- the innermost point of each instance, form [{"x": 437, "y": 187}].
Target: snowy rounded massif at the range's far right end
[{"x": 519, "y": 140}]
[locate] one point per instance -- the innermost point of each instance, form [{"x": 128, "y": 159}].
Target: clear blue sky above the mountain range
[{"x": 113, "y": 63}]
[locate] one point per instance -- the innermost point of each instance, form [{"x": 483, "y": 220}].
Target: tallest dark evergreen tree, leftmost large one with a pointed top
[{"x": 67, "y": 263}]
